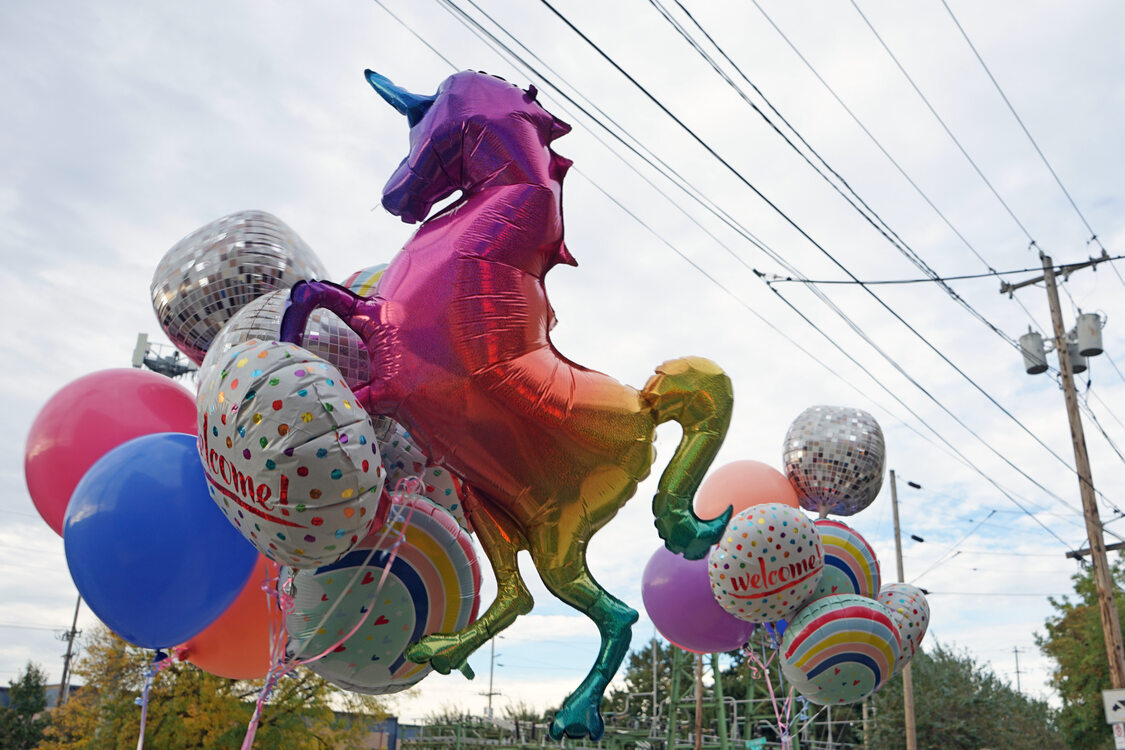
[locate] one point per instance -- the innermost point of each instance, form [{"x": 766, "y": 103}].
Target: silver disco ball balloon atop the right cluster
[{"x": 835, "y": 458}]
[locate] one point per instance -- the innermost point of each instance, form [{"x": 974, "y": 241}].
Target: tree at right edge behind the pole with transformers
[{"x": 1076, "y": 644}]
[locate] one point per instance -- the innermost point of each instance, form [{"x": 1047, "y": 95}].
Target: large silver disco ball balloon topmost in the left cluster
[{"x": 217, "y": 270}]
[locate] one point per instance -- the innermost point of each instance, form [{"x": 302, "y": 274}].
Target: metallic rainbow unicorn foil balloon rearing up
[{"x": 458, "y": 335}]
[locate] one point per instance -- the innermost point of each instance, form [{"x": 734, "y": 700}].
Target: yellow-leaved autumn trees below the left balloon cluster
[{"x": 192, "y": 709}]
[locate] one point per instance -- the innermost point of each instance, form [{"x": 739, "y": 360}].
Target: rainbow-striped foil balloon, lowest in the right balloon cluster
[{"x": 841, "y": 649}]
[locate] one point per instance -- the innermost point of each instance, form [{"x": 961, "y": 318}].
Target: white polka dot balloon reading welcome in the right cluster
[{"x": 768, "y": 563}]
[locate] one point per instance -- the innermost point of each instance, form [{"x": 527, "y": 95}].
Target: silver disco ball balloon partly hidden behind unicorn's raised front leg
[{"x": 326, "y": 336}]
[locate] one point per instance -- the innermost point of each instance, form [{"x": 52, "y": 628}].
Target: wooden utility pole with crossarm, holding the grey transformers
[{"x": 1108, "y": 609}]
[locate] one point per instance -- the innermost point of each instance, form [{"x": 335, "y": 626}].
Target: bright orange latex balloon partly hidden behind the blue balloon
[{"x": 238, "y": 645}]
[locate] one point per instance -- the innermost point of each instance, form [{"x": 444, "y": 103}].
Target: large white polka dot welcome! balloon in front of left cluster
[{"x": 291, "y": 458}]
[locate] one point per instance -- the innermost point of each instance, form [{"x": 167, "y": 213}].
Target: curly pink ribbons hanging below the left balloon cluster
[{"x": 283, "y": 664}]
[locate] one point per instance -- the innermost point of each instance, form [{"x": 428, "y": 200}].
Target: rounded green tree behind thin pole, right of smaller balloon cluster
[{"x": 960, "y": 706}]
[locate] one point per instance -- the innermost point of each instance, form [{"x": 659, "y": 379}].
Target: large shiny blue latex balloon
[{"x": 149, "y": 550}]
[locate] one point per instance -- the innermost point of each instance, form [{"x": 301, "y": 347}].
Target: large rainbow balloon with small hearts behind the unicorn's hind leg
[{"x": 434, "y": 586}]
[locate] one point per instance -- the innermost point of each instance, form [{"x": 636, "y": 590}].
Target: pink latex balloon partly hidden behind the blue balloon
[{"x": 89, "y": 418}]
